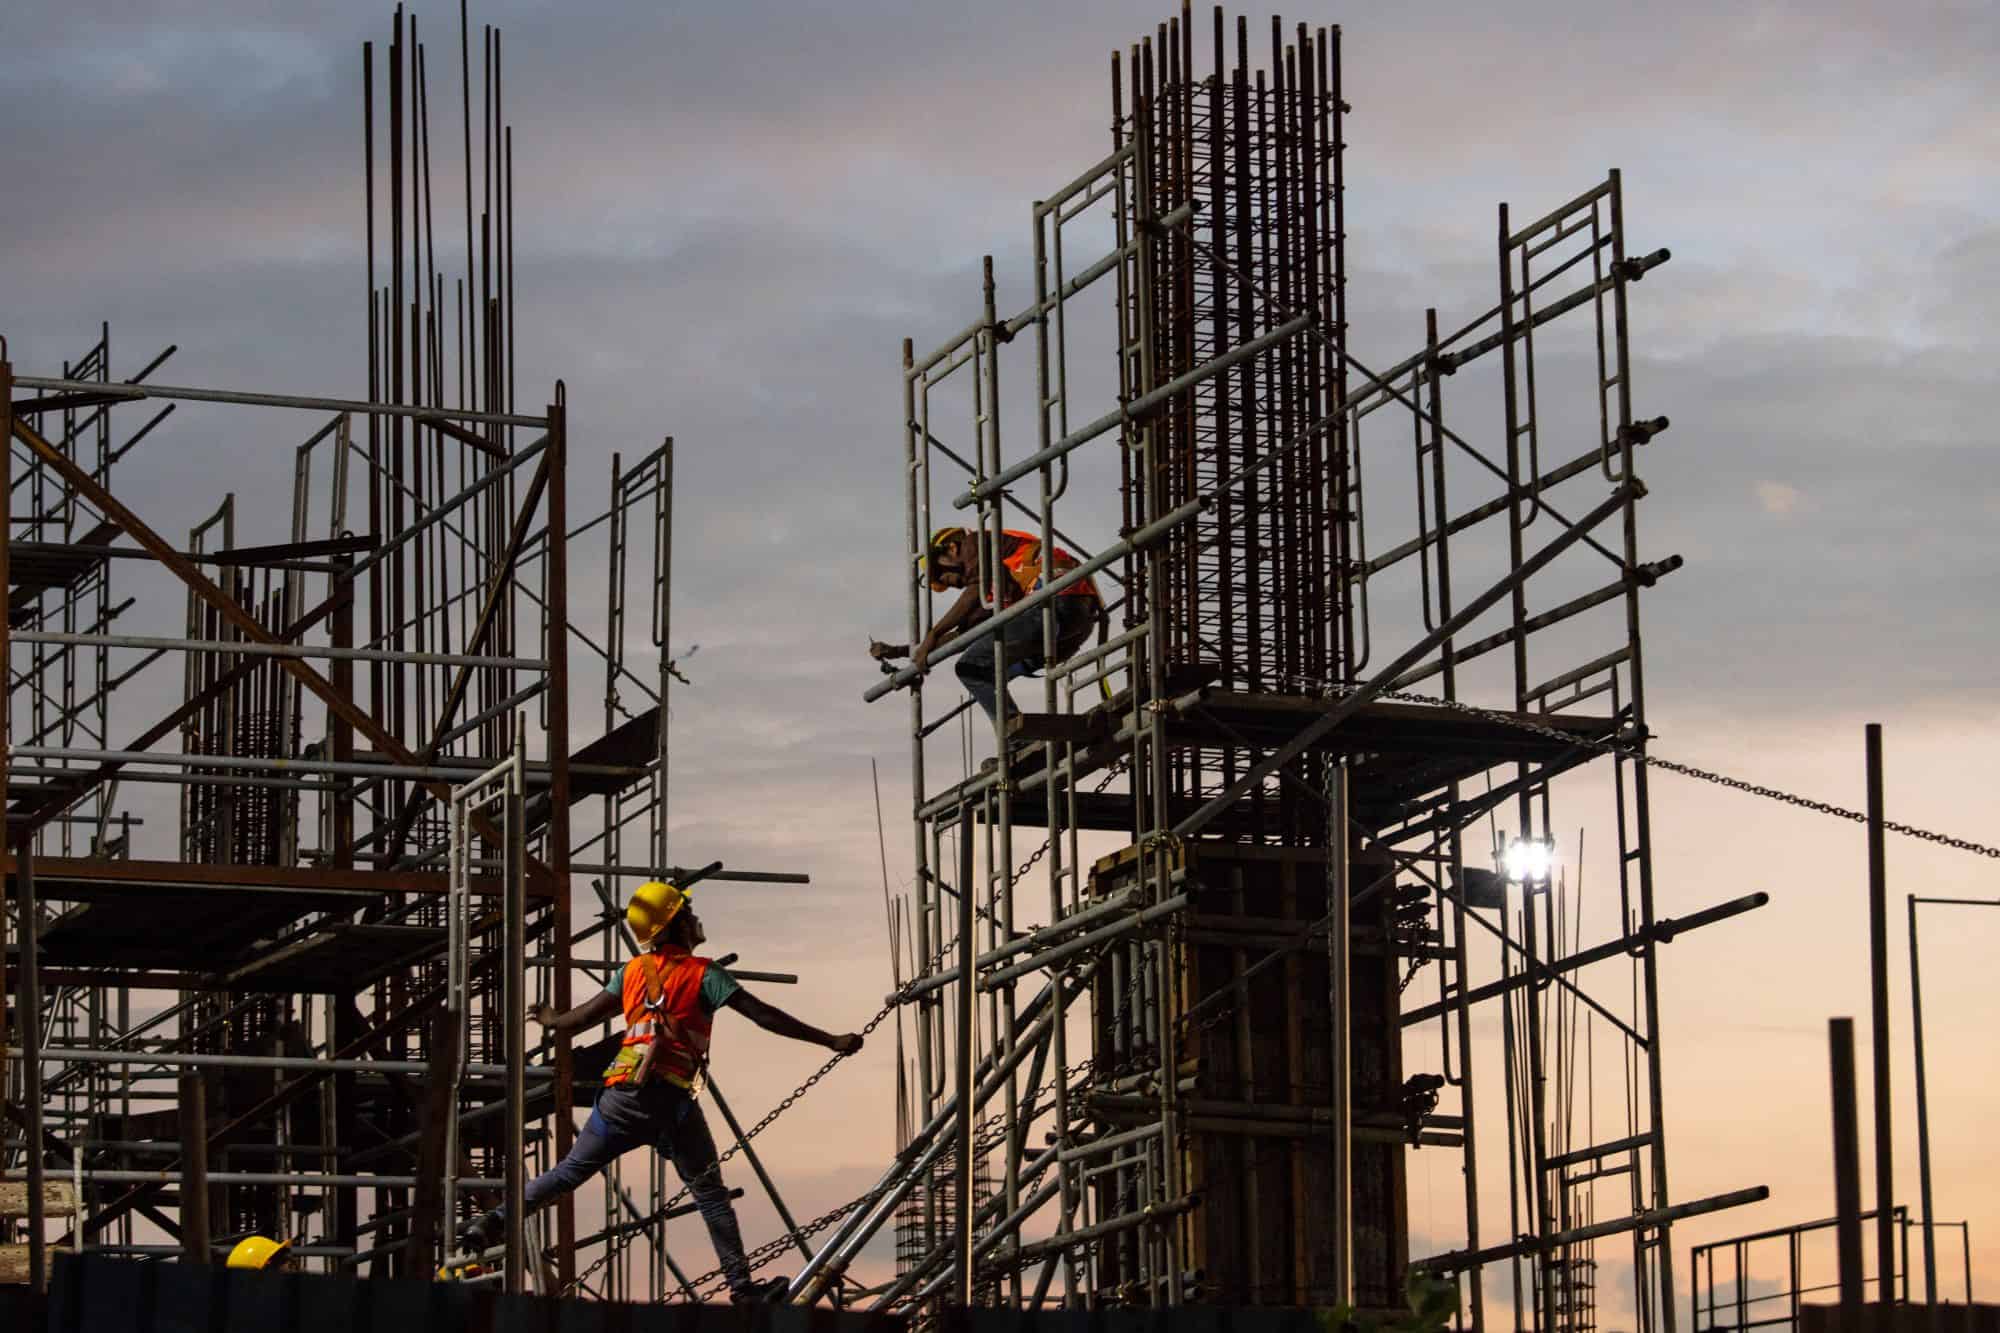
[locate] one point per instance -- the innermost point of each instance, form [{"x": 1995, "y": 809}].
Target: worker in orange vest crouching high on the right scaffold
[{"x": 953, "y": 561}]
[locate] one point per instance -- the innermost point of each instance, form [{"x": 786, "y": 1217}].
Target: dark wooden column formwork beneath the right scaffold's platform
[{"x": 1259, "y": 1118}]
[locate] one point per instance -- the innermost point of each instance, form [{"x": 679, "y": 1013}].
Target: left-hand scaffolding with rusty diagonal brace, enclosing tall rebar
[{"x": 377, "y": 772}]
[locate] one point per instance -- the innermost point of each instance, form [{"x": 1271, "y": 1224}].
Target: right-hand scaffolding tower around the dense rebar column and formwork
[{"x": 1239, "y": 716}]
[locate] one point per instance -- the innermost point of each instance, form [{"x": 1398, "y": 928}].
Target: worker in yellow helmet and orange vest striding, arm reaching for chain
[{"x": 669, "y": 1000}]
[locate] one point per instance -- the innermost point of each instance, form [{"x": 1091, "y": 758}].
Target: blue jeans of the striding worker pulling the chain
[{"x": 671, "y": 1122}]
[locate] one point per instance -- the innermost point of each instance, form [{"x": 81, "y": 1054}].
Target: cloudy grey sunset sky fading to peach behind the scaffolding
[{"x": 729, "y": 219}]
